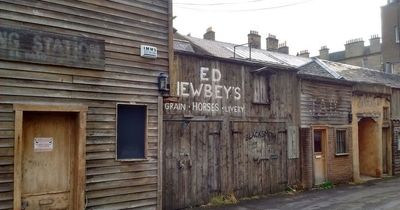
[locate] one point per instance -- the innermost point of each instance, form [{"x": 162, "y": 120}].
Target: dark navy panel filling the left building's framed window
[{"x": 131, "y": 131}]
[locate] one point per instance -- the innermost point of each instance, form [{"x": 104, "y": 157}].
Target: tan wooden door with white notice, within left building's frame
[{"x": 47, "y": 160}]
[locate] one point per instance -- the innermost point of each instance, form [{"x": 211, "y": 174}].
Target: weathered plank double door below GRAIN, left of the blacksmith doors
[{"x": 191, "y": 163}]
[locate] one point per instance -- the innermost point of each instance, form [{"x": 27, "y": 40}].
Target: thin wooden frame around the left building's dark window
[{"x": 146, "y": 122}]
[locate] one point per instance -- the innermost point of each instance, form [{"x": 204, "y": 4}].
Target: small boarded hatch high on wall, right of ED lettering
[{"x": 260, "y": 91}]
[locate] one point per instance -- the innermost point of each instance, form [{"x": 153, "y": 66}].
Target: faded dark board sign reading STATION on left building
[{"x": 50, "y": 48}]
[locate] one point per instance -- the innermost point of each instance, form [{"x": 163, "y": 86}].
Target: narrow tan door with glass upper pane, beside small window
[{"x": 319, "y": 156}]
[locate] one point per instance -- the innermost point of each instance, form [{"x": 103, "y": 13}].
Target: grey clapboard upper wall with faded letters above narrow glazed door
[{"x": 323, "y": 103}]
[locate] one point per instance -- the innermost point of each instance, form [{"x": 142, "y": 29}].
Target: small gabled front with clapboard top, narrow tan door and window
[{"x": 325, "y": 135}]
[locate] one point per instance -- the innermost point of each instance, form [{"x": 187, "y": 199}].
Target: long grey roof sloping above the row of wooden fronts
[{"x": 306, "y": 66}]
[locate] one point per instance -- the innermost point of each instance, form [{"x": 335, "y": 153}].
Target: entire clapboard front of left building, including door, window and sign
[{"x": 69, "y": 73}]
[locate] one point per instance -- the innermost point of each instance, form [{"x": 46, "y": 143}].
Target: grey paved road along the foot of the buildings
[{"x": 382, "y": 194}]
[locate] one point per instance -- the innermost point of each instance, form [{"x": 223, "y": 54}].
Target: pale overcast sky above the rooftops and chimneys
[{"x": 303, "y": 24}]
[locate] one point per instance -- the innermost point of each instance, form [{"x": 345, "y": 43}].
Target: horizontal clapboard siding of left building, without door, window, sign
[{"x": 127, "y": 78}]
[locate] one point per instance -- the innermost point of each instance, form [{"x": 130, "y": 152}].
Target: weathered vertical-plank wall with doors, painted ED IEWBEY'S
[{"x": 244, "y": 153}]
